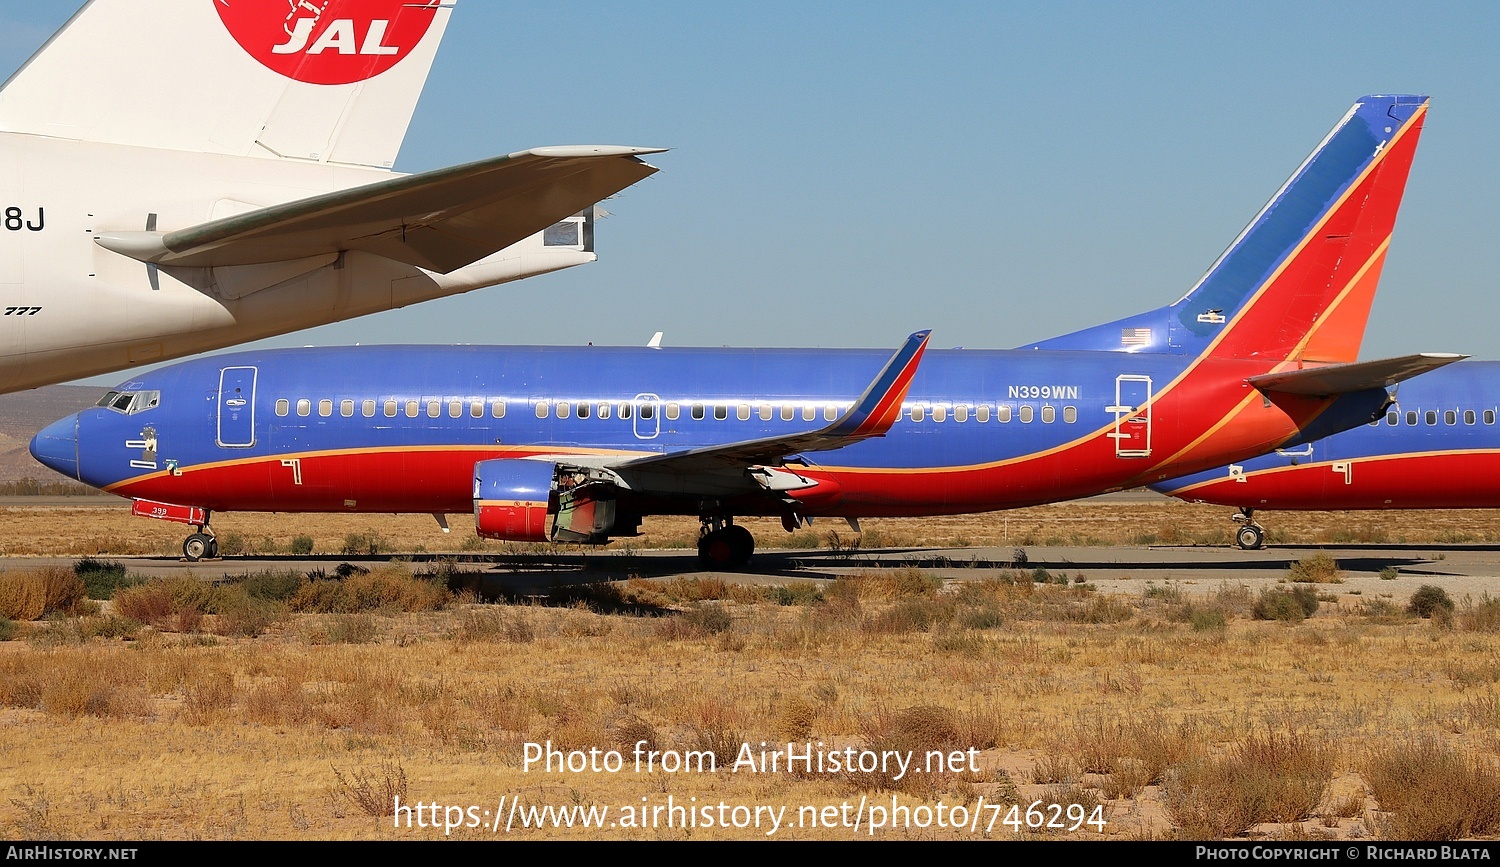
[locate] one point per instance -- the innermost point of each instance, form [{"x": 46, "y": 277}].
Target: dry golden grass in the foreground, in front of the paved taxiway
[{"x": 310, "y": 728}]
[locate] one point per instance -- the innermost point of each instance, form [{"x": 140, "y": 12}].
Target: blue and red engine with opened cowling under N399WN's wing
[{"x": 538, "y": 502}]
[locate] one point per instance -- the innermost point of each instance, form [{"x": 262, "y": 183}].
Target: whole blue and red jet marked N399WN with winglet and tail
[{"x": 578, "y": 445}]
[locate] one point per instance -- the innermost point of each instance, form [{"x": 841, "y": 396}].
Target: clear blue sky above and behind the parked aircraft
[{"x": 847, "y": 173}]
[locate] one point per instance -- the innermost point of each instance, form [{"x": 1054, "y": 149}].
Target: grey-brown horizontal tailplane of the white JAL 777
[{"x": 440, "y": 220}]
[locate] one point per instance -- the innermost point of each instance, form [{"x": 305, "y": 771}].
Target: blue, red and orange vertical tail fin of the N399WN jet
[{"x": 1300, "y": 280}]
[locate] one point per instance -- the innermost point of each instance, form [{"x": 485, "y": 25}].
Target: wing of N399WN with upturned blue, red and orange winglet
[{"x": 871, "y": 416}]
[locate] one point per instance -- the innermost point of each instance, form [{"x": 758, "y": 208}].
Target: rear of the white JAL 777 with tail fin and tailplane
[{"x": 179, "y": 176}]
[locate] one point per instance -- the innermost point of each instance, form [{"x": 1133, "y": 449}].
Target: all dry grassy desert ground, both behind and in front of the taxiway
[{"x": 275, "y": 704}]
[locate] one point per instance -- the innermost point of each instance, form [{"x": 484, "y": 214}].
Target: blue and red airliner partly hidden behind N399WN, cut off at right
[{"x": 1439, "y": 448}]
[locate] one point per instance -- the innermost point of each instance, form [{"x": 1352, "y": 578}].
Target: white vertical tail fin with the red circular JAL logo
[{"x": 310, "y": 80}]
